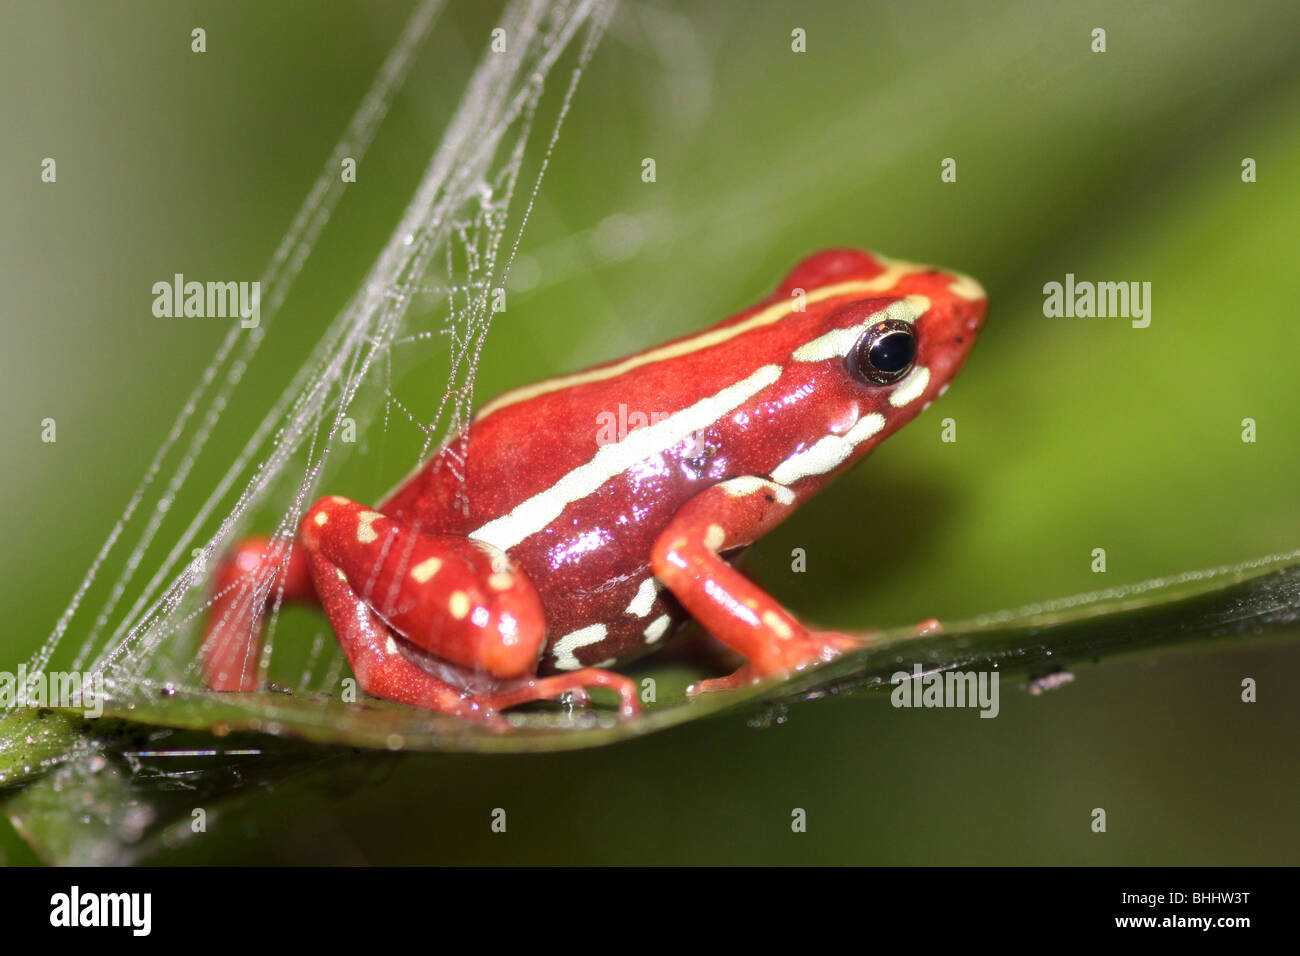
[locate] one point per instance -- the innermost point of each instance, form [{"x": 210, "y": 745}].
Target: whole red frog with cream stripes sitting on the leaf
[{"x": 527, "y": 560}]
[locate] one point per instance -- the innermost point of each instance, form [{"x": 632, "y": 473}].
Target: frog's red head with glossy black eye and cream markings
[{"x": 872, "y": 364}]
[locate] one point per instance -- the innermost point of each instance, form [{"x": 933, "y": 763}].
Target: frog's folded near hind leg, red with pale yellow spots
[{"x": 396, "y": 595}]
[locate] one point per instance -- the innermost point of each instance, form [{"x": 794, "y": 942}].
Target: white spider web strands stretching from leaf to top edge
[{"x": 436, "y": 279}]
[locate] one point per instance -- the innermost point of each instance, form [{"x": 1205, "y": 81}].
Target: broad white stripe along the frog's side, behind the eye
[{"x": 536, "y": 513}]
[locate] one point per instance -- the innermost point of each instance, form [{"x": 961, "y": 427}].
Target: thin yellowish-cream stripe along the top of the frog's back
[{"x": 895, "y": 271}]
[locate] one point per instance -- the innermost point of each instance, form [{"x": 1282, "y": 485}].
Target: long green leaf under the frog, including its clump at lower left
[{"x": 85, "y": 793}]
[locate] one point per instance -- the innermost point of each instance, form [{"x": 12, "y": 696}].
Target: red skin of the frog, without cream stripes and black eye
[{"x": 586, "y": 566}]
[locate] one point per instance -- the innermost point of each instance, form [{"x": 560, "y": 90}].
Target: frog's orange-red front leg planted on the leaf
[{"x": 687, "y": 559}]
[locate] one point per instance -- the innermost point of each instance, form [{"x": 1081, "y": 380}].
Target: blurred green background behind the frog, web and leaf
[{"x": 1073, "y": 434}]
